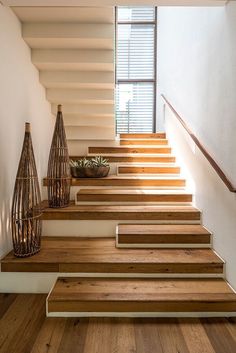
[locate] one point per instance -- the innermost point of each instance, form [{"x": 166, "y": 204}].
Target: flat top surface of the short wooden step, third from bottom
[{"x": 136, "y": 229}]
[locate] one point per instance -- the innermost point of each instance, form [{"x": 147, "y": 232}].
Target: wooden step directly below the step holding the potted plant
[{"x": 132, "y": 195}]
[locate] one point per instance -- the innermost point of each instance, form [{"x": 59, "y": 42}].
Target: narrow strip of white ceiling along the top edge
[{"x": 113, "y": 2}]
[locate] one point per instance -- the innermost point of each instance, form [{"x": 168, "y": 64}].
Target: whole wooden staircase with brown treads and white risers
[{"x": 158, "y": 258}]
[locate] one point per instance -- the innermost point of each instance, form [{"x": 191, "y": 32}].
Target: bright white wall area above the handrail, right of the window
[{"x": 197, "y": 73}]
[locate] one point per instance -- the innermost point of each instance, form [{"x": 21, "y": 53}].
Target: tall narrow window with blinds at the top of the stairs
[{"x": 136, "y": 69}]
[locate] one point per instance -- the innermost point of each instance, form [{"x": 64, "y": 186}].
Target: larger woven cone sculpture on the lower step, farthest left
[{"x": 26, "y": 206}]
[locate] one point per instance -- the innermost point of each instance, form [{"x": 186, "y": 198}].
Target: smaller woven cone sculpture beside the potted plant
[{"x": 59, "y": 177}]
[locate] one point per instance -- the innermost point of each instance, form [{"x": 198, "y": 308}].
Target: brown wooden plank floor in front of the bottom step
[{"x": 25, "y": 329}]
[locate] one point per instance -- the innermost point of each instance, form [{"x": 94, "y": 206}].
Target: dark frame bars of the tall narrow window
[{"x": 154, "y": 80}]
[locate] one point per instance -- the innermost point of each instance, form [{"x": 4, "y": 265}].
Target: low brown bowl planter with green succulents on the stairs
[{"x": 96, "y": 167}]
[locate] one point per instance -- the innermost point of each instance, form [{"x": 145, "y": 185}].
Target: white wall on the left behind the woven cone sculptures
[{"x": 22, "y": 98}]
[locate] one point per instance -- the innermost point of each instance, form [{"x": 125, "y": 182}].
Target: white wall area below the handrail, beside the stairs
[{"x": 211, "y": 196}]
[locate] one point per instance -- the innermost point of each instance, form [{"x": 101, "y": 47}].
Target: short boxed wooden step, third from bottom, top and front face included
[{"x": 153, "y": 235}]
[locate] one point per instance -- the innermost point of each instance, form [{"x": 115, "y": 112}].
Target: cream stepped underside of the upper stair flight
[{"x": 73, "y": 49}]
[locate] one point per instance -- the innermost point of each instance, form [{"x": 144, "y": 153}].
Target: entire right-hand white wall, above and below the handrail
[{"x": 197, "y": 74}]
